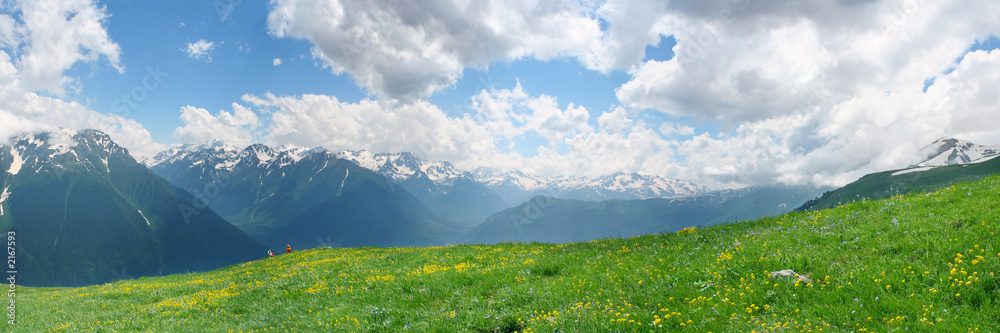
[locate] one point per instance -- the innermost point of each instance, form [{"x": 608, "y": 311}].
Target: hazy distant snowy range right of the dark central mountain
[{"x": 471, "y": 197}]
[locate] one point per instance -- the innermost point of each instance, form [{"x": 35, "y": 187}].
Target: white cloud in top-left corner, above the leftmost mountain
[{"x": 42, "y": 39}]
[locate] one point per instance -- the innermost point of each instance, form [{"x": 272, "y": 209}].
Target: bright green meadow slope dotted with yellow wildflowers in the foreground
[{"x": 919, "y": 262}]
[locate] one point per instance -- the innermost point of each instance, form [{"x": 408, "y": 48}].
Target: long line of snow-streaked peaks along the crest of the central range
[{"x": 404, "y": 168}]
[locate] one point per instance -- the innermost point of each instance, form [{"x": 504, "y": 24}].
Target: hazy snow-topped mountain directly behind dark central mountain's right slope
[{"x": 452, "y": 194}]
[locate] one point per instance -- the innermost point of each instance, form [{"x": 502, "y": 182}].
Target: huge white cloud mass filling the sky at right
[{"x": 818, "y": 92}]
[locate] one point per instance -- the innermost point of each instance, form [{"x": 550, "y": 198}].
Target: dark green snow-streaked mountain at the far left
[{"x": 85, "y": 212}]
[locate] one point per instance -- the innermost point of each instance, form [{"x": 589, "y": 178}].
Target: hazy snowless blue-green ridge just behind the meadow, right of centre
[{"x": 546, "y": 219}]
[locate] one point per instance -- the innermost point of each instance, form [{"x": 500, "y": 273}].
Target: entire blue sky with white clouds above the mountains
[{"x": 724, "y": 94}]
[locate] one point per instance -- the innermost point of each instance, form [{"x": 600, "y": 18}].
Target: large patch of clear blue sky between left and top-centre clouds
[{"x": 154, "y": 33}]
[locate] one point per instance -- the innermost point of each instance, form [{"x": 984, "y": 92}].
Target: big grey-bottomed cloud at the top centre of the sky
[{"x": 409, "y": 50}]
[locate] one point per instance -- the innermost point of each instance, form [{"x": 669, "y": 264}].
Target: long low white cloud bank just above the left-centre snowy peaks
[{"x": 381, "y": 126}]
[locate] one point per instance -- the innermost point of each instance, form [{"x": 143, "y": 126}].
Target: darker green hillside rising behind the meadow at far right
[{"x": 882, "y": 185}]
